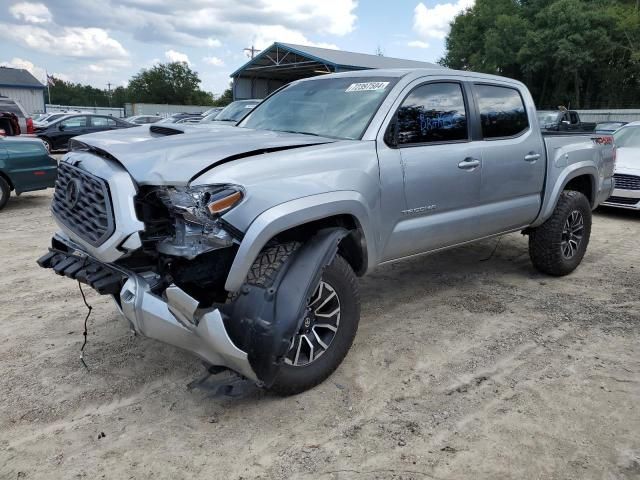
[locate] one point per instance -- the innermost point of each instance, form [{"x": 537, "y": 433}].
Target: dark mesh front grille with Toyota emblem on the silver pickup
[{"x": 81, "y": 202}]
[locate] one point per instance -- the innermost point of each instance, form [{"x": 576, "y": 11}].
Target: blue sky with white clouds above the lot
[{"x": 100, "y": 42}]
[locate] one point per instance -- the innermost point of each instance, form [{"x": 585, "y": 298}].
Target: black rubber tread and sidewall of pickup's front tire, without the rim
[{"x": 291, "y": 379}]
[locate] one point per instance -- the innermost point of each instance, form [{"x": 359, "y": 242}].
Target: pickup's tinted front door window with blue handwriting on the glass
[{"x": 433, "y": 113}]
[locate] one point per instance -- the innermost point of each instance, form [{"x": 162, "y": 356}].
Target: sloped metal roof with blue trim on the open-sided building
[{"x": 334, "y": 58}]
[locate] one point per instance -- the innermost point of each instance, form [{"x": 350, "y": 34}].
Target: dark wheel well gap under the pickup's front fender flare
[{"x": 352, "y": 248}]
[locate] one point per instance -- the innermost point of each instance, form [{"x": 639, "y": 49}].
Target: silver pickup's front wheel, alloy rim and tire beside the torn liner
[{"x": 326, "y": 334}]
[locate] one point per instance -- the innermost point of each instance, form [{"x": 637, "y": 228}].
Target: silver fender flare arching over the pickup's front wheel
[{"x": 292, "y": 214}]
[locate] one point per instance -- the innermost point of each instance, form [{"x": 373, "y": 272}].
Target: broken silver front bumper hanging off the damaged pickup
[{"x": 175, "y": 319}]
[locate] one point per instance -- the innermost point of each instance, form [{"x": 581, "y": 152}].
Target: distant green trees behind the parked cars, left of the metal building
[{"x": 166, "y": 83}]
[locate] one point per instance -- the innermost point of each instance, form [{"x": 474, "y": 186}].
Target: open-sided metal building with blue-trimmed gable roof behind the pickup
[{"x": 282, "y": 63}]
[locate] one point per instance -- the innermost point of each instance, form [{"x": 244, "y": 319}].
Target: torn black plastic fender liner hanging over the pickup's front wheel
[{"x": 268, "y": 318}]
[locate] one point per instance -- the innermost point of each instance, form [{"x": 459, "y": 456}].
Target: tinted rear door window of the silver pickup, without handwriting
[{"x": 502, "y": 111}]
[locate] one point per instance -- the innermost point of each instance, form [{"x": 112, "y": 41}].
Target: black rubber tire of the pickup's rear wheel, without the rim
[{"x": 545, "y": 241}]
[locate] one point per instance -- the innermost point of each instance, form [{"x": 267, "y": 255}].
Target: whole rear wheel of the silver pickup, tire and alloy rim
[{"x": 558, "y": 245}]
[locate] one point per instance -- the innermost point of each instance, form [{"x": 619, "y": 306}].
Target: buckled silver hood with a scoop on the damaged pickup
[{"x": 156, "y": 159}]
